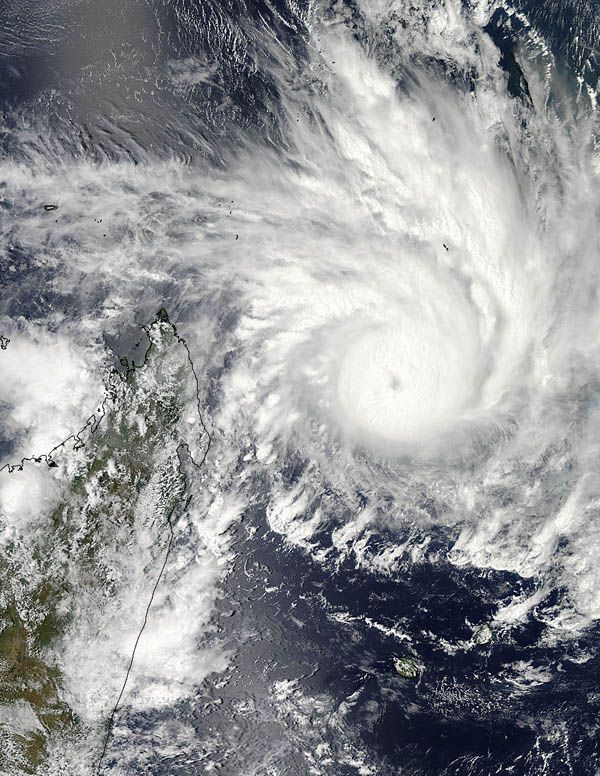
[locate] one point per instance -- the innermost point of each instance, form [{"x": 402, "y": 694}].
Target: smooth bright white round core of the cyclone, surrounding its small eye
[{"x": 401, "y": 385}]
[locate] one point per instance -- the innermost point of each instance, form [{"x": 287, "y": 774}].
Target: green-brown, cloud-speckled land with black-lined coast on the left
[{"x": 120, "y": 483}]
